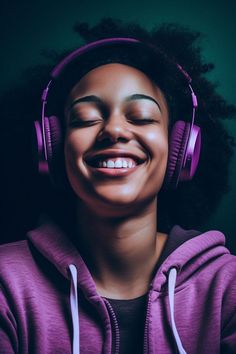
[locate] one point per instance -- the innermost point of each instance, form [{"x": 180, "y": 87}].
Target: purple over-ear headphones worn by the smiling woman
[{"x": 184, "y": 141}]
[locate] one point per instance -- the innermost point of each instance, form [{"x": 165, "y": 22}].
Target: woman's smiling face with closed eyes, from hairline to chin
[{"x": 116, "y": 143}]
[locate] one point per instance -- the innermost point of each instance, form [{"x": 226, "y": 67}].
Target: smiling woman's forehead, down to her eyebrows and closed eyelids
[{"x": 114, "y": 85}]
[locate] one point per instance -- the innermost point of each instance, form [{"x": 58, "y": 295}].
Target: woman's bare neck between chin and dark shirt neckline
[{"x": 121, "y": 253}]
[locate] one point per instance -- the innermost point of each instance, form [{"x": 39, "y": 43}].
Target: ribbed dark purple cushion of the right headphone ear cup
[{"x": 177, "y": 147}]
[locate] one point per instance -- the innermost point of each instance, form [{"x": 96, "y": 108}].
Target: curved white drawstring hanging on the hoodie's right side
[{"x": 171, "y": 290}]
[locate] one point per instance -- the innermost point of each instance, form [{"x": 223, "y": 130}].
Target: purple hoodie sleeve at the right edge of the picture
[{"x": 228, "y": 334}]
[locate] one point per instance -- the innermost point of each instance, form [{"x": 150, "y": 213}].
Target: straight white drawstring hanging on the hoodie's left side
[{"x": 74, "y": 309}]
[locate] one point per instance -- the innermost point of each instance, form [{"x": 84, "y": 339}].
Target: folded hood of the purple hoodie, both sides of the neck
[{"x": 55, "y": 246}]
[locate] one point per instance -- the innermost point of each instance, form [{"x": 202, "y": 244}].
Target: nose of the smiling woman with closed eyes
[{"x": 115, "y": 128}]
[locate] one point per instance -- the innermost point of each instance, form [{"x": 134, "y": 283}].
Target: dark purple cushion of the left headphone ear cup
[{"x": 54, "y": 147}]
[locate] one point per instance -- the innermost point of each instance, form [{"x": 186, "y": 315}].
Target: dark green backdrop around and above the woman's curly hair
[{"x": 28, "y": 27}]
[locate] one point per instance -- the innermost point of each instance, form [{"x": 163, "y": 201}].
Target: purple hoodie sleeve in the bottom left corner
[{"x": 8, "y": 332}]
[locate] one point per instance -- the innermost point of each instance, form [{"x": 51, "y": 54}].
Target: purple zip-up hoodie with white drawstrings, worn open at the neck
[{"x": 191, "y": 301}]
